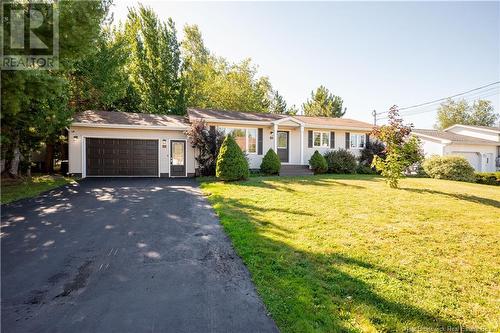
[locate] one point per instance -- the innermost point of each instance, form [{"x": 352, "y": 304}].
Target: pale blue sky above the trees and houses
[{"x": 372, "y": 54}]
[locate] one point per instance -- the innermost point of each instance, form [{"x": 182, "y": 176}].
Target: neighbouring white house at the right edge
[{"x": 480, "y": 145}]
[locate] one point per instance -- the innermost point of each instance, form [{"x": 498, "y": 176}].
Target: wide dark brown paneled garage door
[{"x": 121, "y": 157}]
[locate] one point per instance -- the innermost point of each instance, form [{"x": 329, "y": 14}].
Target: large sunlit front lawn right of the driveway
[{"x": 348, "y": 254}]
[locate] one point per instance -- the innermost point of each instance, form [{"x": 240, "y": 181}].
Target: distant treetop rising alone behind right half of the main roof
[{"x": 323, "y": 104}]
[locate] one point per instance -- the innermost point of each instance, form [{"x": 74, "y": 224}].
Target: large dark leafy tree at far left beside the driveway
[{"x": 35, "y": 102}]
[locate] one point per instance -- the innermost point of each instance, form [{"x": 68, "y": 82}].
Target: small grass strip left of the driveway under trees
[{"x": 13, "y": 190}]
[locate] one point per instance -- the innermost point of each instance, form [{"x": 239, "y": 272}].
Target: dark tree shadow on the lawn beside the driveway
[{"x": 313, "y": 292}]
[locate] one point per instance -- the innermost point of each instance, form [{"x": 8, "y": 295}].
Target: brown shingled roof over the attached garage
[{"x": 127, "y": 119}]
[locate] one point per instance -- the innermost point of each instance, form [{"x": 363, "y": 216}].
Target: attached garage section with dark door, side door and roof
[{"x": 120, "y": 144}]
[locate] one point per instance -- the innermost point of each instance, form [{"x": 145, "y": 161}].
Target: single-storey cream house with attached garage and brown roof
[{"x": 103, "y": 143}]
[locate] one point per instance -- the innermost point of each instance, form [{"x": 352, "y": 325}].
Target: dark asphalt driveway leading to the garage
[{"x": 123, "y": 255}]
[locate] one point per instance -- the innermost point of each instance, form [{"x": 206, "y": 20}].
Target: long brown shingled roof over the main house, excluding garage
[{"x": 236, "y": 116}]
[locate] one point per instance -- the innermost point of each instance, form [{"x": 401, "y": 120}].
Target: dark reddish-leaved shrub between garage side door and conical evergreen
[{"x": 207, "y": 144}]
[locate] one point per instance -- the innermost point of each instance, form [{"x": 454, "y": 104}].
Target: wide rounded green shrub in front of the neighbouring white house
[{"x": 449, "y": 167}]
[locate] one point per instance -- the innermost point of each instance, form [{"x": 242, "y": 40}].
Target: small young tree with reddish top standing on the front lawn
[{"x": 402, "y": 150}]
